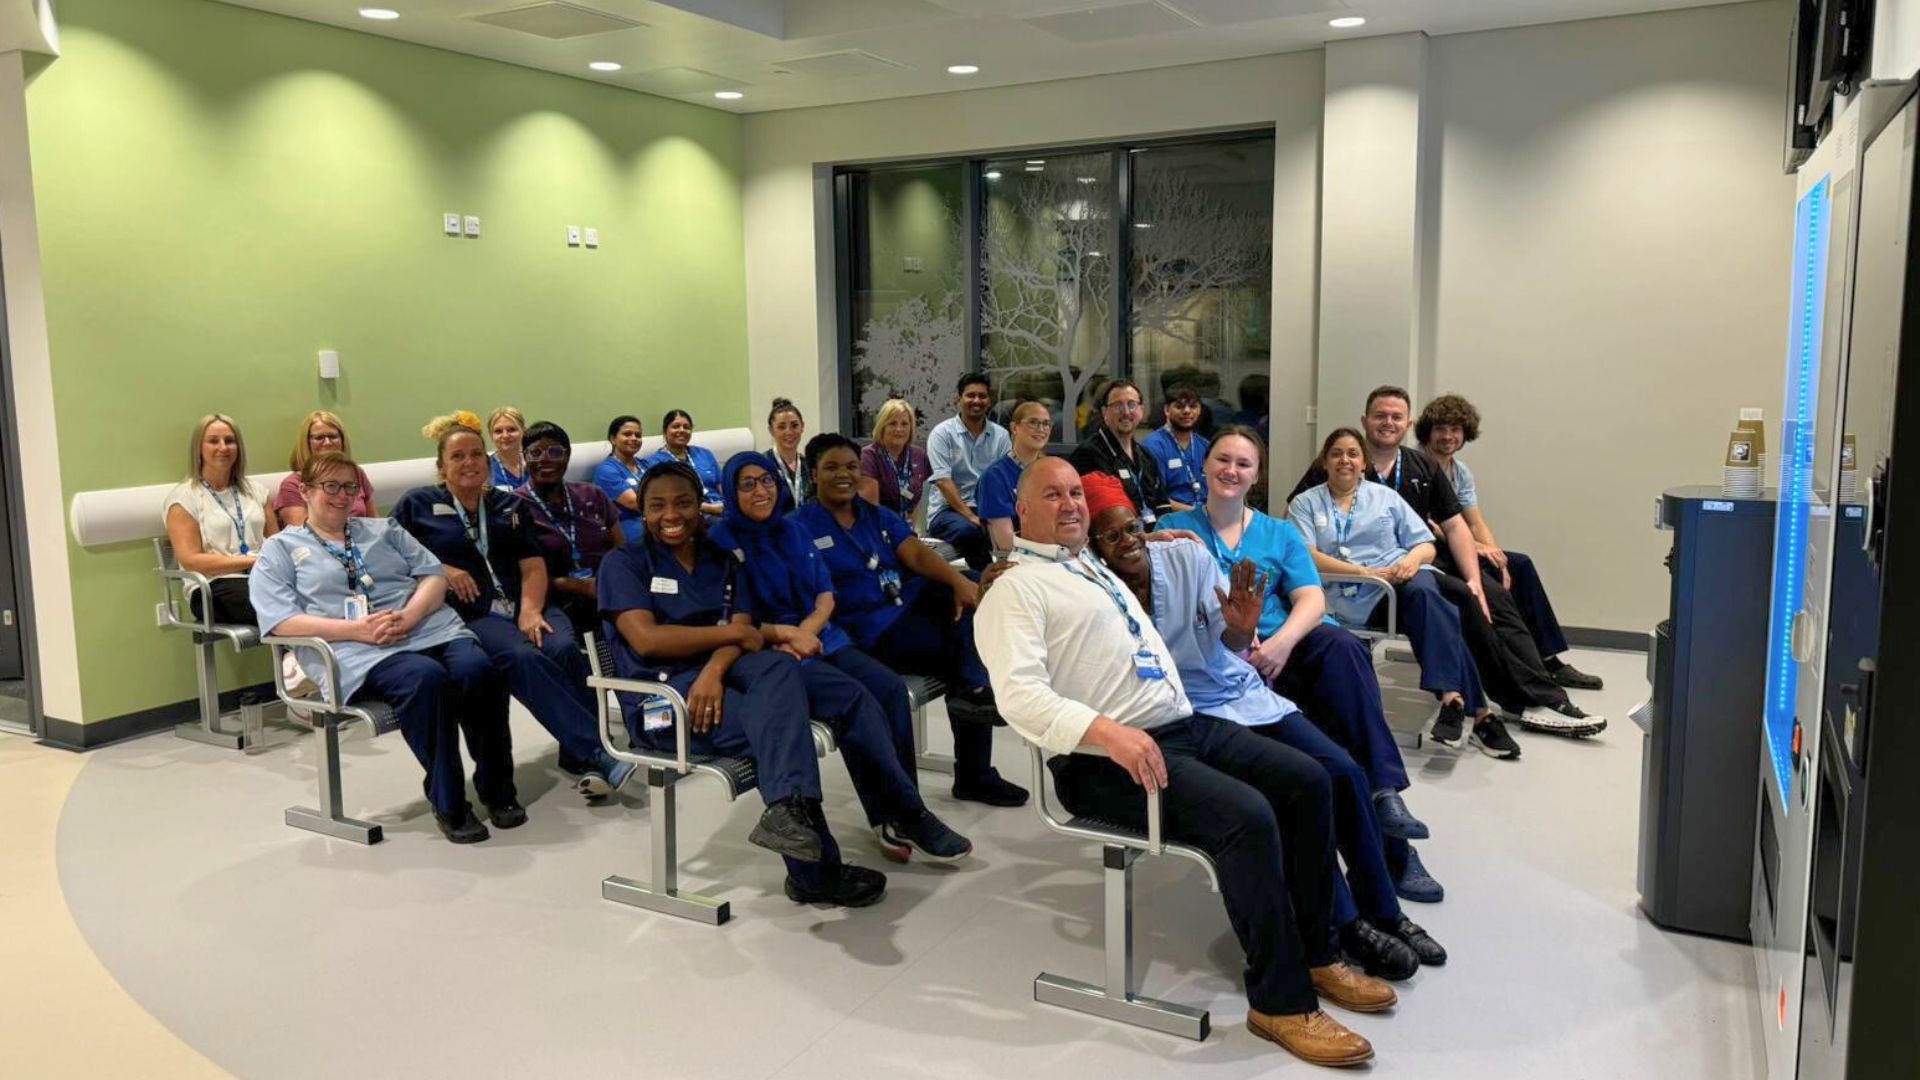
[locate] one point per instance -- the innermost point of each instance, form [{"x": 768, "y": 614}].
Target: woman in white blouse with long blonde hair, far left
[{"x": 218, "y": 520}]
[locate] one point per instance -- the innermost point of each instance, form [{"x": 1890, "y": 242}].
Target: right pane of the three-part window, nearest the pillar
[{"x": 1201, "y": 278}]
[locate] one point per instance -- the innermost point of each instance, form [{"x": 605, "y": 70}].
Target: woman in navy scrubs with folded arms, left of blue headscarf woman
[{"x": 684, "y": 616}]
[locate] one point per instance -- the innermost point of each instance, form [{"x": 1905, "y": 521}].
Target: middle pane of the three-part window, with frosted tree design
[{"x": 1047, "y": 282}]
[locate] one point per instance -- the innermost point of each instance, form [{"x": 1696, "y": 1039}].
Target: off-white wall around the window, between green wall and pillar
[{"x": 790, "y": 307}]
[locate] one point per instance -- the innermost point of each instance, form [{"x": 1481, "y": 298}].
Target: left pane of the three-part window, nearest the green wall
[{"x": 907, "y": 264}]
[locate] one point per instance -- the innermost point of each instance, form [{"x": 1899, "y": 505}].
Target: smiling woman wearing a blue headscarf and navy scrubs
[{"x": 794, "y": 604}]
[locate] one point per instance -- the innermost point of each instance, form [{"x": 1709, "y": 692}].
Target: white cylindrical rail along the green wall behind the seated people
[{"x": 133, "y": 514}]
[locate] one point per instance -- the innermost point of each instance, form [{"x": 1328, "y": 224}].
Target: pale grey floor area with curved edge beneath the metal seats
[{"x": 289, "y": 956}]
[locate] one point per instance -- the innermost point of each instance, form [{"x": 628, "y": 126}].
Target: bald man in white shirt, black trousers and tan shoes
[{"x": 1078, "y": 664}]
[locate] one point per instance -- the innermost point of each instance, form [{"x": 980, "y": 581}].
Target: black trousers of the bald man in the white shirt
[{"x": 1264, "y": 812}]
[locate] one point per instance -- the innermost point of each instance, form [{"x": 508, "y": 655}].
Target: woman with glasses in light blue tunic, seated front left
[{"x": 377, "y": 595}]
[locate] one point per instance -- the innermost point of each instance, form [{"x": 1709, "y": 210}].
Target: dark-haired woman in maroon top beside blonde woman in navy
[{"x": 575, "y": 524}]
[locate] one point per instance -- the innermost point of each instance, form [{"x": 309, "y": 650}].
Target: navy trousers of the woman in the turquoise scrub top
[{"x": 1332, "y": 677}]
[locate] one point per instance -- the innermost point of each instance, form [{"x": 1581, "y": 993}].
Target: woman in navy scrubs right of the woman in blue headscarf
[{"x": 907, "y": 608}]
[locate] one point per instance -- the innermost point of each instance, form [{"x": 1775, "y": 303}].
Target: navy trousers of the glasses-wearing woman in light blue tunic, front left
[{"x": 437, "y": 695}]
